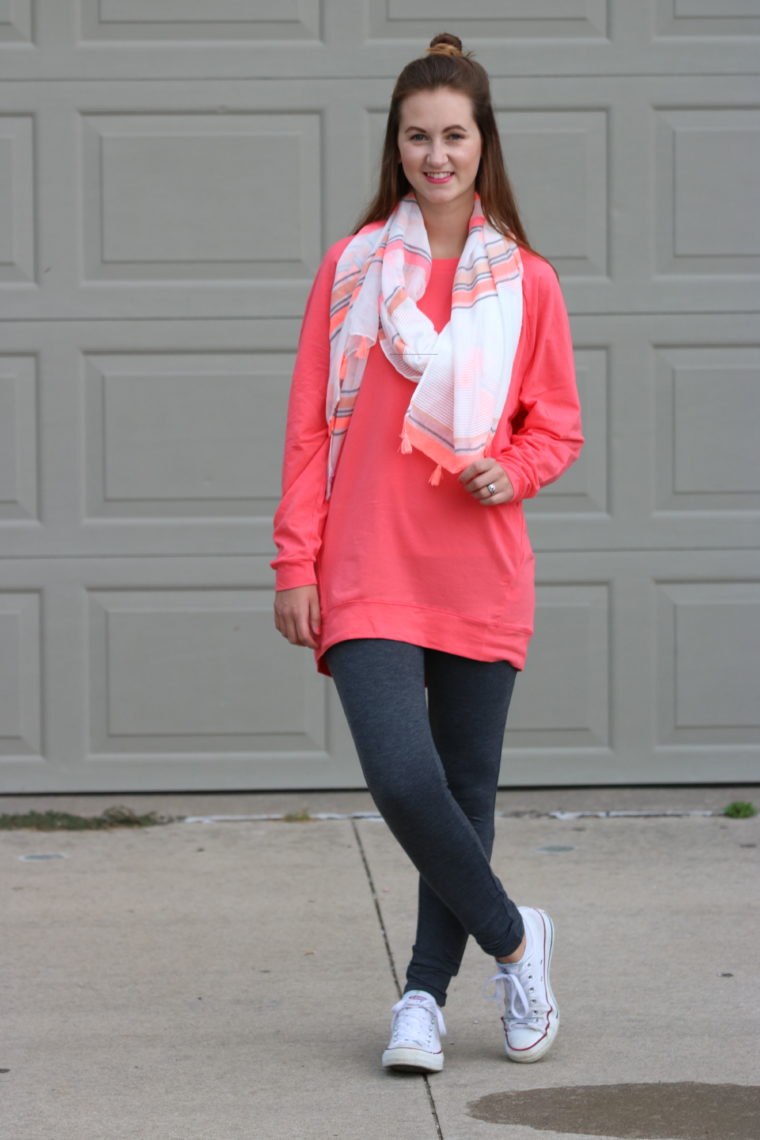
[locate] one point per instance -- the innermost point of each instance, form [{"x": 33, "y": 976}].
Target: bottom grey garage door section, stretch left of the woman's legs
[{"x": 159, "y": 673}]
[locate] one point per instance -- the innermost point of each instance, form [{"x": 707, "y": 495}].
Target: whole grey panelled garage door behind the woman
[{"x": 170, "y": 174}]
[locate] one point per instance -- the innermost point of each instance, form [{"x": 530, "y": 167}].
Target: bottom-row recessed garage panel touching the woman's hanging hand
[{"x": 198, "y": 671}]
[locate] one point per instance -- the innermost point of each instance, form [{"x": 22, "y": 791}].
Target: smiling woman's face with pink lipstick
[{"x": 440, "y": 149}]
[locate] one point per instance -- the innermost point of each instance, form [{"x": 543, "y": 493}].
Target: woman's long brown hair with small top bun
[{"x": 447, "y": 66}]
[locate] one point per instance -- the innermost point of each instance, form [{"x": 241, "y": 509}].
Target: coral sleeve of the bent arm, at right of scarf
[{"x": 546, "y": 430}]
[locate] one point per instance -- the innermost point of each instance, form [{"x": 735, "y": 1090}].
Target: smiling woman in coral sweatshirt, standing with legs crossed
[{"x": 434, "y": 392}]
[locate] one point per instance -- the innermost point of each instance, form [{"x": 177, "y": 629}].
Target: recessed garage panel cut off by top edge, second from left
[{"x": 198, "y": 20}]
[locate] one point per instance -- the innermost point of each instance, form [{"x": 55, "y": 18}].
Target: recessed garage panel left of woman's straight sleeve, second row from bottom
[{"x": 182, "y": 435}]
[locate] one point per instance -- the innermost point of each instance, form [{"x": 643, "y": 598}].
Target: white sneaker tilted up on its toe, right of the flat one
[{"x": 532, "y": 1017}]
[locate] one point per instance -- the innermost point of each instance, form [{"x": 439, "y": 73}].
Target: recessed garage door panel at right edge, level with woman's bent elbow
[{"x": 708, "y": 429}]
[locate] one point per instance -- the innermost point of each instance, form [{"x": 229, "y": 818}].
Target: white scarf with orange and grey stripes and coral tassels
[{"x": 462, "y": 374}]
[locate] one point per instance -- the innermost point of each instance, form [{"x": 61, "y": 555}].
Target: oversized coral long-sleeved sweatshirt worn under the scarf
[{"x": 393, "y": 556}]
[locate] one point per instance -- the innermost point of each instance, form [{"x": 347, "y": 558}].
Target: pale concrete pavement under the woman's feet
[{"x": 226, "y": 981}]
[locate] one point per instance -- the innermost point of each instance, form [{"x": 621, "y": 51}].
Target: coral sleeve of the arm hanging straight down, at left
[{"x": 301, "y": 515}]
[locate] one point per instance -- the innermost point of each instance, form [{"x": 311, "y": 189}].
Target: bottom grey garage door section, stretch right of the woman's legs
[{"x": 673, "y": 686}]
